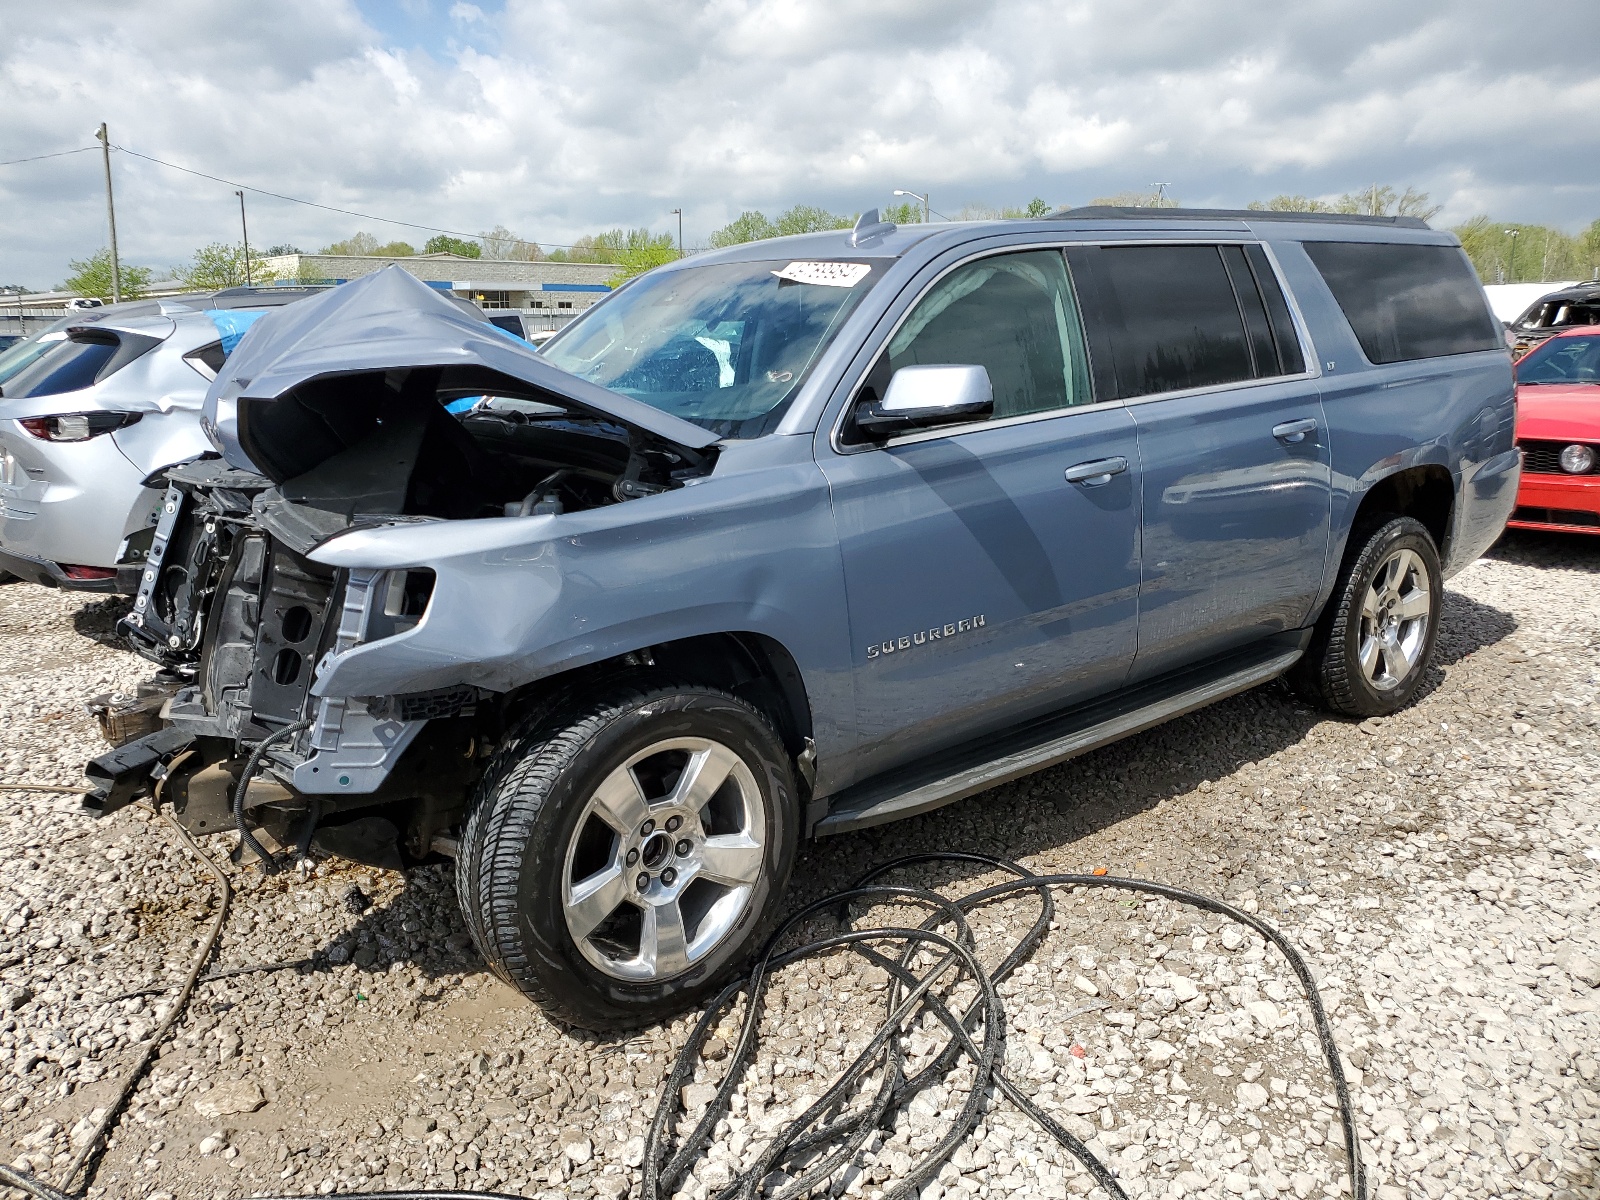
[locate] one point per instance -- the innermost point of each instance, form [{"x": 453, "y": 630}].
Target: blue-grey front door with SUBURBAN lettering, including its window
[{"x": 993, "y": 570}]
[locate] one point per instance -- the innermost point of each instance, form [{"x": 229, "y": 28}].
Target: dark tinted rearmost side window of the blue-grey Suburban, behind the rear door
[{"x": 1407, "y": 302}]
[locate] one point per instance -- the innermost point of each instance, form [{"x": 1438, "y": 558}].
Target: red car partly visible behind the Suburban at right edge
[{"x": 1559, "y": 433}]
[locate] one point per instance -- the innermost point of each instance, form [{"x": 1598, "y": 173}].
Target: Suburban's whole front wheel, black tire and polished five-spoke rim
[{"x": 623, "y": 860}]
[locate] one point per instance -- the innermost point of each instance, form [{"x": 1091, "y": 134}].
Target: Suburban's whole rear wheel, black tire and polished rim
[{"x": 1375, "y": 641}]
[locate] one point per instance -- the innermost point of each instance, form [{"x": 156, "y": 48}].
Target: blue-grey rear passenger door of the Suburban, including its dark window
[{"x": 1199, "y": 343}]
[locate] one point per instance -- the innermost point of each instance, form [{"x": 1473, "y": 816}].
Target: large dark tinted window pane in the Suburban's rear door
[{"x": 1167, "y": 318}]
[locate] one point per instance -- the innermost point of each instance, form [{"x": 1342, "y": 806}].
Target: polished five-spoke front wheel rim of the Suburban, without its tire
[{"x": 665, "y": 858}]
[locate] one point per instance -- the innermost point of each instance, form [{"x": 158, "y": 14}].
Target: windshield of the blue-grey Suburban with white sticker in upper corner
[{"x": 724, "y": 346}]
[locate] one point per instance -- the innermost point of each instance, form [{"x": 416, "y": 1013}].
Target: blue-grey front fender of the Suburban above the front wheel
[{"x": 522, "y": 599}]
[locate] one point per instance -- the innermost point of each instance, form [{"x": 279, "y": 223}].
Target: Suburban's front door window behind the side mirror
[{"x": 1010, "y": 314}]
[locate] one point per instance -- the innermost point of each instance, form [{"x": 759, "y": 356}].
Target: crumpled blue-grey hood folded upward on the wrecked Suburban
[{"x": 394, "y": 321}]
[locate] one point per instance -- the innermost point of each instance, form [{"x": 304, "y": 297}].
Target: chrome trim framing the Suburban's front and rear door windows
[{"x": 1297, "y": 319}]
